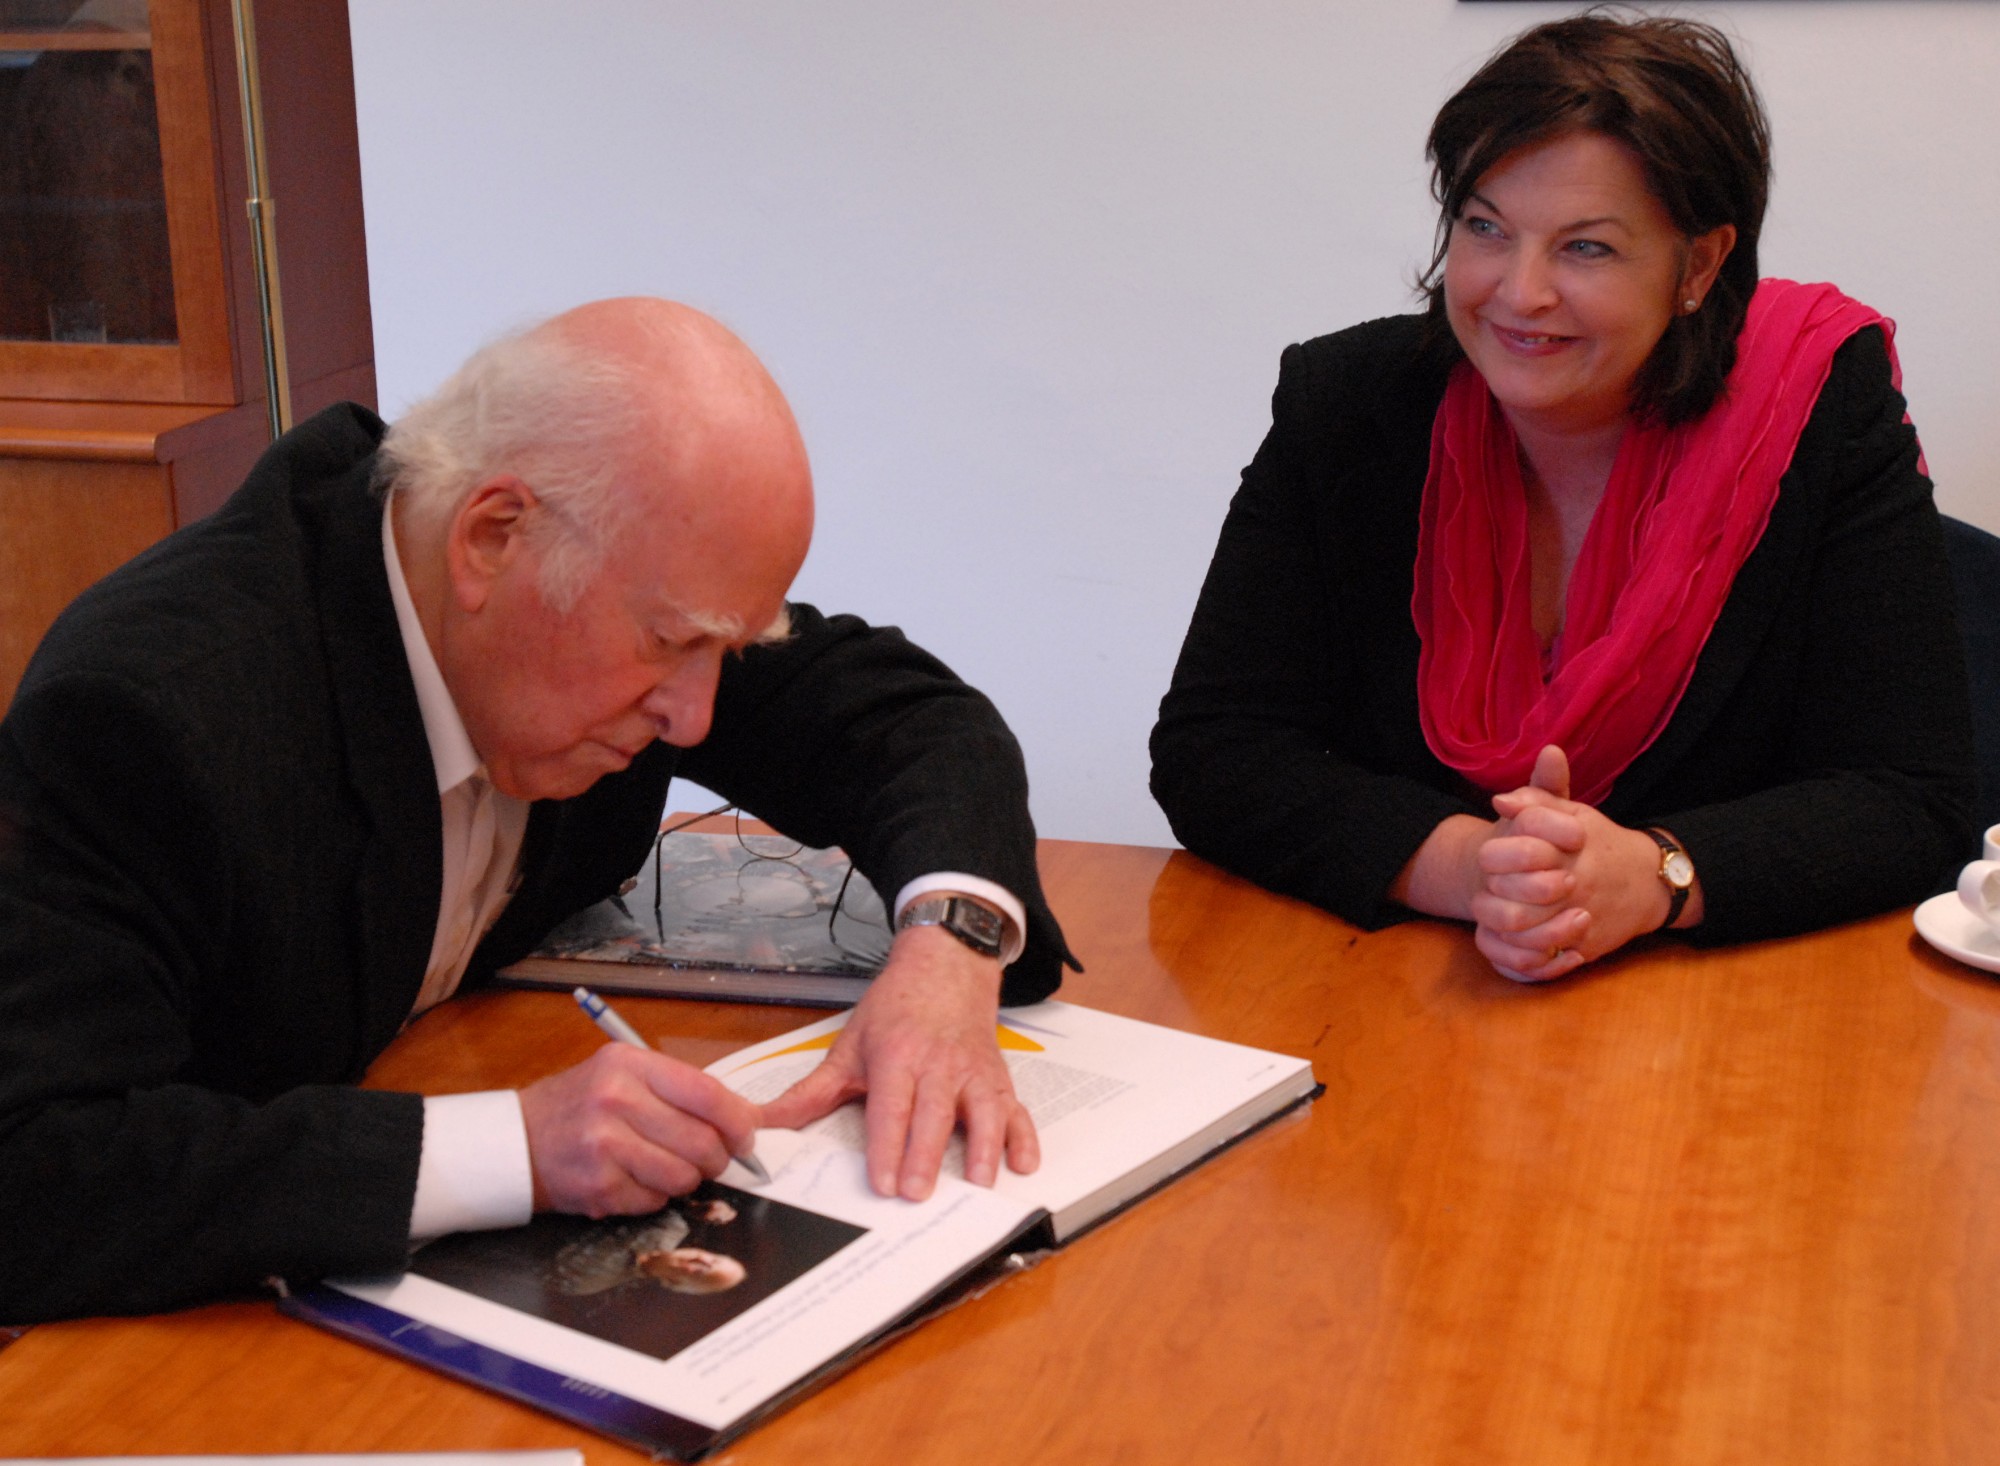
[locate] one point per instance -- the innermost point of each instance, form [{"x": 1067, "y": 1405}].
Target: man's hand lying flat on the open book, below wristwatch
[{"x": 923, "y": 1049}]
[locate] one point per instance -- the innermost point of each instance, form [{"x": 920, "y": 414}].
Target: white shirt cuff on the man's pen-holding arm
[{"x": 473, "y": 1173}]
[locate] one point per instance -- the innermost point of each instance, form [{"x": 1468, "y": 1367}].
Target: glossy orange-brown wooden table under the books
[{"x": 1693, "y": 1207}]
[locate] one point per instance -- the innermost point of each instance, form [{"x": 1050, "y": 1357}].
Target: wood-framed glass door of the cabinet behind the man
[{"x": 113, "y": 279}]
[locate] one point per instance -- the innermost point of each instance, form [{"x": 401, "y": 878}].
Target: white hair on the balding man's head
[{"x": 535, "y": 405}]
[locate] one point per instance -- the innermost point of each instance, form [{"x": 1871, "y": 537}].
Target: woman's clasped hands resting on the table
[{"x": 1559, "y": 885}]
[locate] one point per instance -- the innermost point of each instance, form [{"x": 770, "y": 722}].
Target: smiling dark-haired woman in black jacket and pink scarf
[{"x": 1583, "y": 605}]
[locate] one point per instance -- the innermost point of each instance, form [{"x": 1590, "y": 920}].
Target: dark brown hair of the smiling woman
[{"x": 1677, "y": 97}]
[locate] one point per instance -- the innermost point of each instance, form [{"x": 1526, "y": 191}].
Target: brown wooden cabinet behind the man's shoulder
[{"x": 131, "y": 351}]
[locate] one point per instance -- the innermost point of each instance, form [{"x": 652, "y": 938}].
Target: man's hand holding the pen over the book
[{"x": 629, "y": 1129}]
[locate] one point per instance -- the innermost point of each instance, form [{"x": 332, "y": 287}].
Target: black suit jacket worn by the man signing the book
[{"x": 221, "y": 867}]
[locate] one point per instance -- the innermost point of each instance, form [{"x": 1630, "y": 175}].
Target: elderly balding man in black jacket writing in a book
[{"x": 365, "y": 735}]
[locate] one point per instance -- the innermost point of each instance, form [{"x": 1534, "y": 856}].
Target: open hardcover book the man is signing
[{"x": 683, "y": 1329}]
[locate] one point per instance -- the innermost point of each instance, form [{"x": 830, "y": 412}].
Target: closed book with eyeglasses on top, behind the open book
[{"x": 733, "y": 917}]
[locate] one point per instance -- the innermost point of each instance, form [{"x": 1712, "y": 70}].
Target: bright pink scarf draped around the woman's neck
[{"x": 1679, "y": 517}]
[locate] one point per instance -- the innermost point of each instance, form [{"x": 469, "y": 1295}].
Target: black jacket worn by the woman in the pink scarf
[{"x": 1819, "y": 765}]
